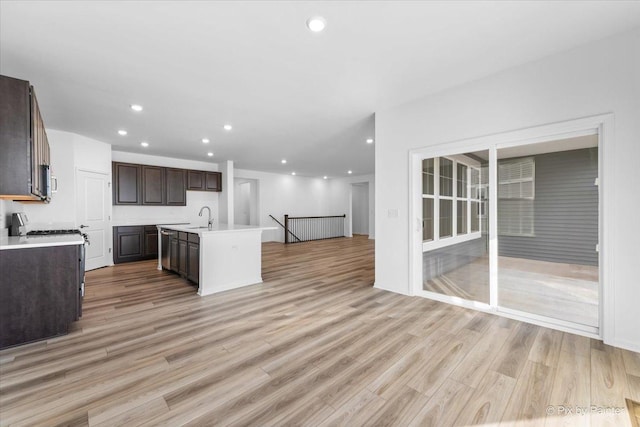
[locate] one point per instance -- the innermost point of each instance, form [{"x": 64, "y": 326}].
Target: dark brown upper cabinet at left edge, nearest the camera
[{"x": 25, "y": 159}]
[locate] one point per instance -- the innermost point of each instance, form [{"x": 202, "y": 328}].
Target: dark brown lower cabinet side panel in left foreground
[{"x": 40, "y": 293}]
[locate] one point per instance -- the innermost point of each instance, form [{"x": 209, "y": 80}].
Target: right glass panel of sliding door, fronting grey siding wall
[{"x": 548, "y": 229}]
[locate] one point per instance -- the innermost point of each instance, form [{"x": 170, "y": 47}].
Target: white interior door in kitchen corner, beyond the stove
[{"x": 93, "y": 204}]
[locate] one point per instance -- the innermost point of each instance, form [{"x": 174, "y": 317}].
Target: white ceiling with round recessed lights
[{"x": 289, "y": 93}]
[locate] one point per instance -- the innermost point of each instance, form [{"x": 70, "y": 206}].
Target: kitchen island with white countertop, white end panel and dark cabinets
[{"x": 217, "y": 259}]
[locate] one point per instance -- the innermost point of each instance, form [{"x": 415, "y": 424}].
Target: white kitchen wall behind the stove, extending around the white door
[{"x": 69, "y": 152}]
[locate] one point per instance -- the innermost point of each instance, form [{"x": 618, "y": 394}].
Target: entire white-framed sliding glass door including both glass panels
[{"x": 512, "y": 224}]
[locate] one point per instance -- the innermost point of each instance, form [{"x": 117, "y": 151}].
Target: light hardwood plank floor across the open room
[{"x": 314, "y": 345}]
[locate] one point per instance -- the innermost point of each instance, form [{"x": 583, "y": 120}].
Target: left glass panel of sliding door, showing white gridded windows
[{"x": 455, "y": 226}]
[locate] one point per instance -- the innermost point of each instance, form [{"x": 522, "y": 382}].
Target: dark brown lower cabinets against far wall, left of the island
[{"x": 134, "y": 243}]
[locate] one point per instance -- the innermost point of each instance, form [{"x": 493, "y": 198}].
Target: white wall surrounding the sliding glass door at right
[{"x": 598, "y": 78}]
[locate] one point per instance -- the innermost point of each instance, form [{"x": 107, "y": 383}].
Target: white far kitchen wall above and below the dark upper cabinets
[{"x": 123, "y": 215}]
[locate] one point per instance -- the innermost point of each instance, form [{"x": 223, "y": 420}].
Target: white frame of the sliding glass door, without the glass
[{"x": 603, "y": 126}]
